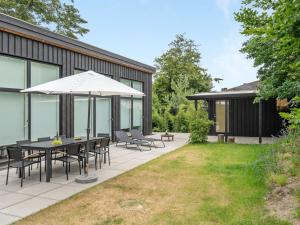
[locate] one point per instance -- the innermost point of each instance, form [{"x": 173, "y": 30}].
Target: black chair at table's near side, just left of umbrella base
[{"x": 72, "y": 154}]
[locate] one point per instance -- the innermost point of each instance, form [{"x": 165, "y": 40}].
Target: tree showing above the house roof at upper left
[{"x": 64, "y": 17}]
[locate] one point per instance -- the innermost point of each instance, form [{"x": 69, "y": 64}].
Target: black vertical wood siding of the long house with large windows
[{"x": 14, "y": 45}]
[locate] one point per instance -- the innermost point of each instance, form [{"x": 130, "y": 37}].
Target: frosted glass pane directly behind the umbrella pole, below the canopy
[{"x": 81, "y": 115}]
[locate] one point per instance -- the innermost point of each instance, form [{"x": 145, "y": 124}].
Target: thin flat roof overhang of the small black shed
[{"x": 223, "y": 95}]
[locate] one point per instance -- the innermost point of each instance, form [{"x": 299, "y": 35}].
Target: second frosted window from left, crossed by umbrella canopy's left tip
[{"x": 44, "y": 108}]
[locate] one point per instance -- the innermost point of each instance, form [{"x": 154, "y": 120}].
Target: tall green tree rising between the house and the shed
[{"x": 179, "y": 72}]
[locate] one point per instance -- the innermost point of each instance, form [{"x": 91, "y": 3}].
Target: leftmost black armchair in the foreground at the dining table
[{"x": 18, "y": 160}]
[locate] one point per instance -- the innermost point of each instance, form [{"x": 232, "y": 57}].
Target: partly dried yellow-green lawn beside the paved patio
[{"x": 197, "y": 184}]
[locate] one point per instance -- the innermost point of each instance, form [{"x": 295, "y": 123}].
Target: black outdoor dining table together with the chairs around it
[{"x": 25, "y": 154}]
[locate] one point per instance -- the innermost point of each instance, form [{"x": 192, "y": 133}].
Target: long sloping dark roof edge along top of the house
[{"x": 22, "y": 28}]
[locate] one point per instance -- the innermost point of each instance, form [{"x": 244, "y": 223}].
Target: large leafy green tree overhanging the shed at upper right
[{"x": 273, "y": 28}]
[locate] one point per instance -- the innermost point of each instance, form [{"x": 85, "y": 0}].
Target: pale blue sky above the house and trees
[{"x": 142, "y": 29}]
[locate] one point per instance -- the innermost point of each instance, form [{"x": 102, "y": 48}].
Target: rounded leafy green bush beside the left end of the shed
[{"x": 199, "y": 126}]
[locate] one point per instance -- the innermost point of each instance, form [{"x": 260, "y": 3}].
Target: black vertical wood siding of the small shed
[{"x": 243, "y": 116}]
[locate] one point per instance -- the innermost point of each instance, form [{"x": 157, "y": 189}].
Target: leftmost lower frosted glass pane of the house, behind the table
[{"x": 13, "y": 117}]
